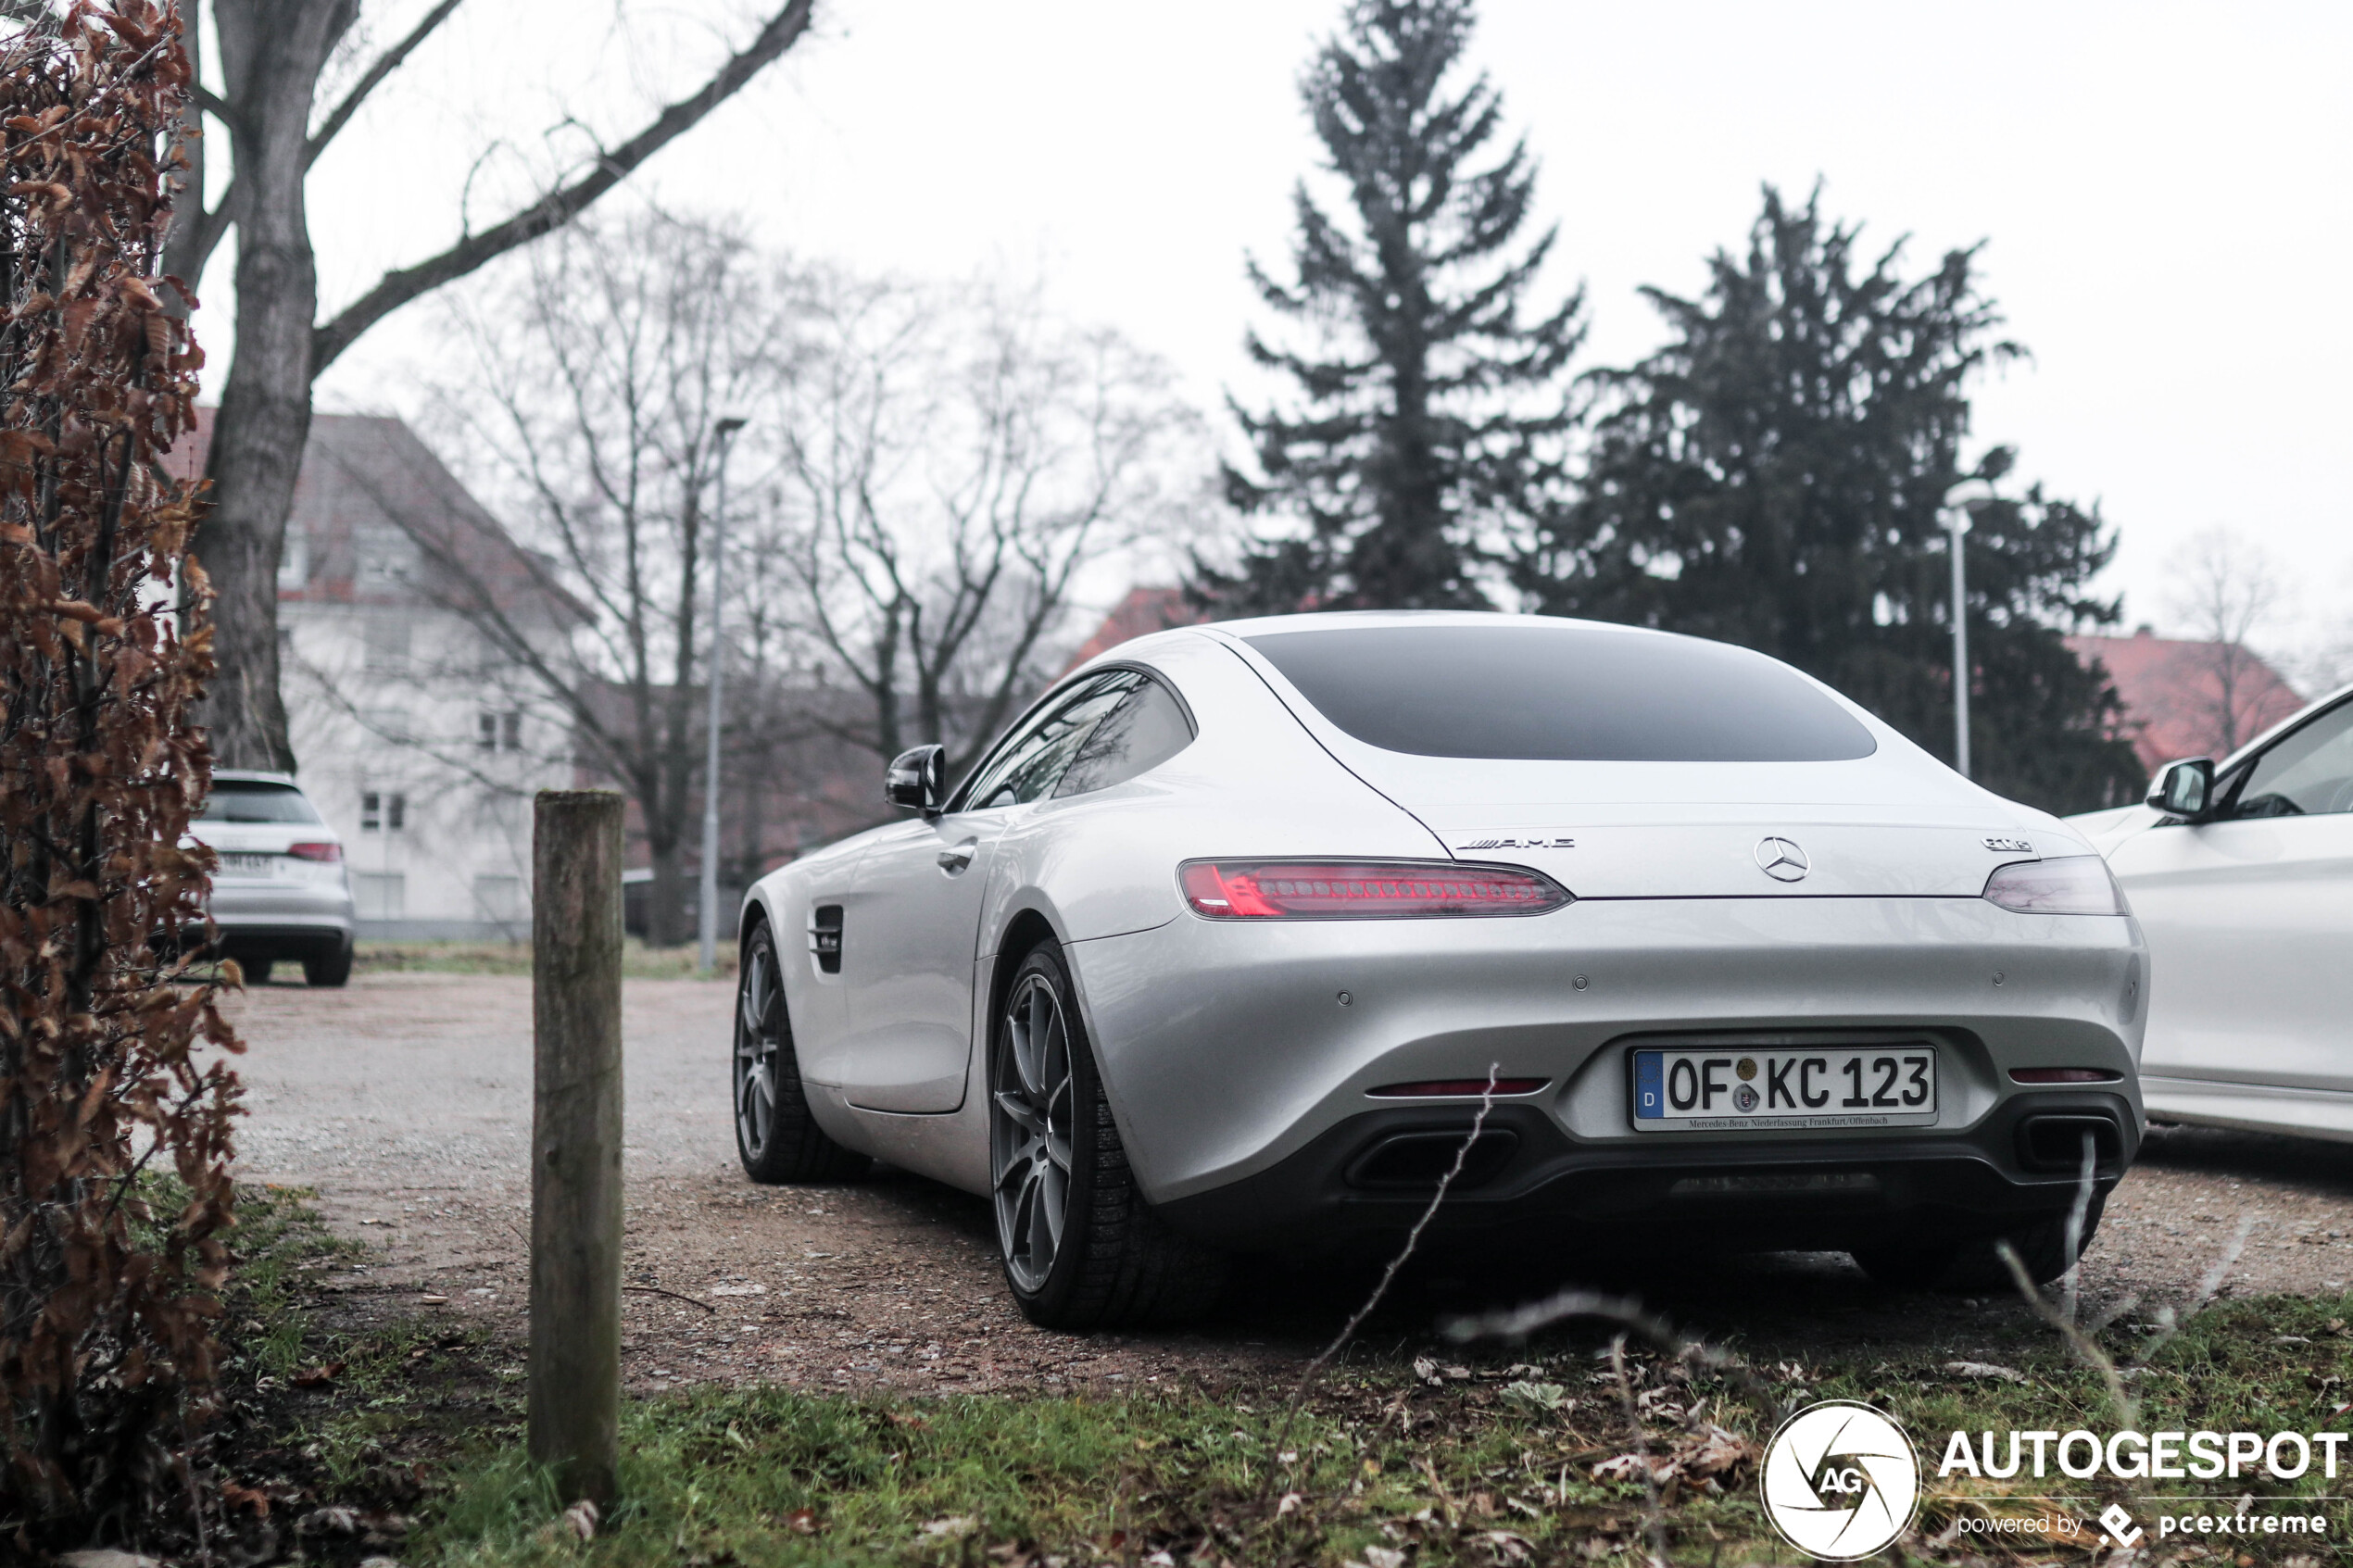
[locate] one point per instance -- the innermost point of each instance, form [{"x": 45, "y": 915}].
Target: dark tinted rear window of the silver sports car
[{"x": 1559, "y": 692}]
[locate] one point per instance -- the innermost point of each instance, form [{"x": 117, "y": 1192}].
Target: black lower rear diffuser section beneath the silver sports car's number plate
[{"x": 1531, "y": 1181}]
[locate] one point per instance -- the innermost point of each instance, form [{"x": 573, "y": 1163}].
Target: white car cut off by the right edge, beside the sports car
[{"x": 2244, "y": 880}]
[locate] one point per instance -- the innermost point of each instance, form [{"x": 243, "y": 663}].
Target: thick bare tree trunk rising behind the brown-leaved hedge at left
[{"x": 272, "y": 55}]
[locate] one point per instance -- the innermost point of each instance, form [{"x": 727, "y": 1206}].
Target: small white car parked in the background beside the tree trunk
[{"x": 281, "y": 890}]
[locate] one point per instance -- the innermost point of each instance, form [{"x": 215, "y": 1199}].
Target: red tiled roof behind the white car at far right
[{"x": 2175, "y": 695}]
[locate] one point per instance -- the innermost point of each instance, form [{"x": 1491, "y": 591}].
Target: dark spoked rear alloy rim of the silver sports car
[{"x": 1029, "y": 1132}]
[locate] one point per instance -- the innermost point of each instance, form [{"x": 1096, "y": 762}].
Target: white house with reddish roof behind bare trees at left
[{"x": 413, "y": 735}]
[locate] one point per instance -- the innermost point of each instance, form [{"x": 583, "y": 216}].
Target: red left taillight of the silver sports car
[{"x": 1349, "y": 890}]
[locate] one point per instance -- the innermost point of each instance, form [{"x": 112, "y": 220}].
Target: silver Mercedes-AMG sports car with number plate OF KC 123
[{"x": 1232, "y": 937}]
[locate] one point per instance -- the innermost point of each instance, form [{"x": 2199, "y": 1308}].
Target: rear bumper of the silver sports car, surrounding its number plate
[{"x": 1241, "y": 1078}]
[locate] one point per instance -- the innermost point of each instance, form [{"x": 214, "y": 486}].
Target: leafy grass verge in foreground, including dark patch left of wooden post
[{"x": 1519, "y": 1459}]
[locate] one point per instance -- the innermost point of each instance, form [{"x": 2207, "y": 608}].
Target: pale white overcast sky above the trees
[{"x": 2166, "y": 192}]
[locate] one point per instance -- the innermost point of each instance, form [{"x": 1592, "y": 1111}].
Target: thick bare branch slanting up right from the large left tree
[{"x": 561, "y": 206}]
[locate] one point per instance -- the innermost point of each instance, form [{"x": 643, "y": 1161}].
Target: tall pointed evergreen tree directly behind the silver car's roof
[{"x": 1425, "y": 413}]
